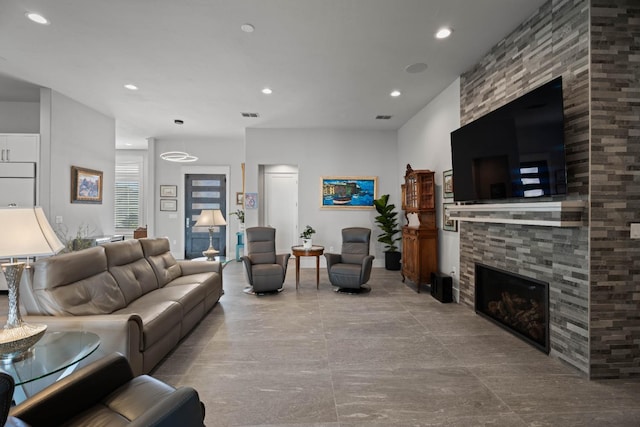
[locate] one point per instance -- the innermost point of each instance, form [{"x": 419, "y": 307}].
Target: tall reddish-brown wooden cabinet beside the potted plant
[{"x": 420, "y": 236}]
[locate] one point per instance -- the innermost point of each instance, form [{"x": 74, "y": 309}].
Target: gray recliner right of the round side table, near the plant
[{"x": 350, "y": 270}]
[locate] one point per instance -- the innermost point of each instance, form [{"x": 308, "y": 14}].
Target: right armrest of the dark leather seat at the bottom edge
[{"x": 181, "y": 408}]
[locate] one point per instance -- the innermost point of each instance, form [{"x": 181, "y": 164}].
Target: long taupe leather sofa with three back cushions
[{"x": 133, "y": 294}]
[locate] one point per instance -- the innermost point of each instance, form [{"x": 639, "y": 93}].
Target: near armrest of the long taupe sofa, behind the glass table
[{"x": 120, "y": 333}]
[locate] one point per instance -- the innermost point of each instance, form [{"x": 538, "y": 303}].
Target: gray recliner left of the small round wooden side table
[{"x": 266, "y": 270}]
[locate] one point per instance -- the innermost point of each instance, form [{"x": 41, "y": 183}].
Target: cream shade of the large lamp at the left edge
[{"x": 25, "y": 232}]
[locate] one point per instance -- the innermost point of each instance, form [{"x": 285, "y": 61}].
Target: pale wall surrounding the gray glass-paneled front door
[{"x": 216, "y": 156}]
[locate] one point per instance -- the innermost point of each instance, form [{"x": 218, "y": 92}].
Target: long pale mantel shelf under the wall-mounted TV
[{"x": 567, "y": 213}]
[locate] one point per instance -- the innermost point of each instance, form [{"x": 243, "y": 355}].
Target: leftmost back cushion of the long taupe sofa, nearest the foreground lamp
[{"x": 77, "y": 283}]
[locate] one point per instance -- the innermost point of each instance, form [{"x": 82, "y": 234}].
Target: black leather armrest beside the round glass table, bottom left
[{"x": 76, "y": 393}]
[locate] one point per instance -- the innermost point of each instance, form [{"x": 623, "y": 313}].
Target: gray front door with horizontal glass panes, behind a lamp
[{"x": 204, "y": 192}]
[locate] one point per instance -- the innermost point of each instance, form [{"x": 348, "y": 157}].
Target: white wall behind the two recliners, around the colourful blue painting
[{"x": 323, "y": 152}]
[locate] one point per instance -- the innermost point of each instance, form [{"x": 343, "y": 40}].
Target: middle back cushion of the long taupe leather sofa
[{"x": 134, "y": 274}]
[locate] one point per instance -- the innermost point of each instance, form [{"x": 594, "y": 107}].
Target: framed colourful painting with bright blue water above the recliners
[{"x": 348, "y": 192}]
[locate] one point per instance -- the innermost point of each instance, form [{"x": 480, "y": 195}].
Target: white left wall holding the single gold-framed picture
[{"x": 73, "y": 134}]
